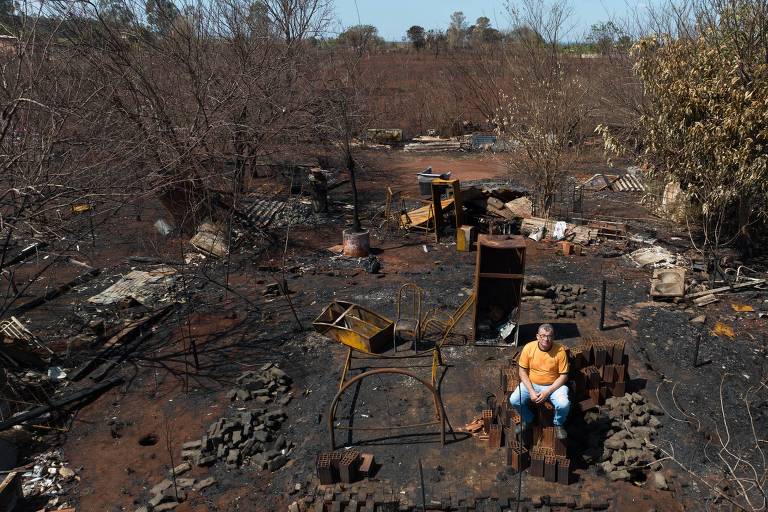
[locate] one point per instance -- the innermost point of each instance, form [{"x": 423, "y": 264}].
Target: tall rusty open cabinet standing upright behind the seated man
[{"x": 499, "y": 273}]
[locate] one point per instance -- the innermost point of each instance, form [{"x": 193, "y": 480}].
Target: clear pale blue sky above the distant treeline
[{"x": 393, "y": 17}]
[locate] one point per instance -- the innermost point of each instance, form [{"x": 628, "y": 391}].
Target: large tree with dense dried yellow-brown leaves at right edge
[{"x": 704, "y": 120}]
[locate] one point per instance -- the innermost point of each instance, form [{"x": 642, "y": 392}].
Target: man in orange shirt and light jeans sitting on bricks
[{"x": 543, "y": 372}]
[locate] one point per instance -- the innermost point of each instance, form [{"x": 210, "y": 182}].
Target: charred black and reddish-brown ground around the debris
[{"x": 125, "y": 441}]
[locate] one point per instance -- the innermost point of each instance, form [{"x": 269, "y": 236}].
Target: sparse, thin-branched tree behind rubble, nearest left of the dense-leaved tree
[{"x": 545, "y": 109}]
